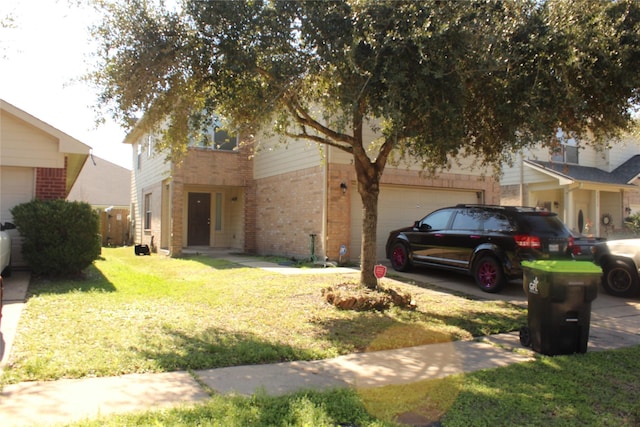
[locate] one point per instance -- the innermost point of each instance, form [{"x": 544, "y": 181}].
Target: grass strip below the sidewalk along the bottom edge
[{"x": 593, "y": 389}]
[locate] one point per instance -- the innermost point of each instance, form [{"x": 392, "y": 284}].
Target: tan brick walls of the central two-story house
[{"x": 276, "y": 214}]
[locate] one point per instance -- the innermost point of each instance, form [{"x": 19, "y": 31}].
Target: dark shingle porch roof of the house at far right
[{"x": 623, "y": 175}]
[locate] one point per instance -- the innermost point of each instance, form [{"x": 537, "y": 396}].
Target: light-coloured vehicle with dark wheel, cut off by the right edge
[{"x": 619, "y": 260}]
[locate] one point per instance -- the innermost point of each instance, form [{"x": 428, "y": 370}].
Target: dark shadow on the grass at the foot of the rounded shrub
[{"x": 90, "y": 280}]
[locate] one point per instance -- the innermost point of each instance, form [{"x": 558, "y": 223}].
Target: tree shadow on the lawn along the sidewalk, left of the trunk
[{"x": 216, "y": 348}]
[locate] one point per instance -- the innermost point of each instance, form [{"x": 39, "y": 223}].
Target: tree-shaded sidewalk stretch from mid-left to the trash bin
[{"x": 365, "y": 370}]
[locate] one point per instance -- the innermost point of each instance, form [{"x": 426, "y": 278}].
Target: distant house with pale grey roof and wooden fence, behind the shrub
[{"x": 107, "y": 188}]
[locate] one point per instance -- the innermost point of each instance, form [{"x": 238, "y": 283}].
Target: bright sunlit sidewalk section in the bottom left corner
[{"x": 45, "y": 403}]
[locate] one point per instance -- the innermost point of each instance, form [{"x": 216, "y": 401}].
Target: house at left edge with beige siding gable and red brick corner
[{"x": 37, "y": 161}]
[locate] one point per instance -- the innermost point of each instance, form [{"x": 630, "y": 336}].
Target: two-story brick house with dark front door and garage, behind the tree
[{"x": 298, "y": 200}]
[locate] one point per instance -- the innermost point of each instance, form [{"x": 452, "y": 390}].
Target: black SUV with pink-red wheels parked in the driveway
[{"x": 486, "y": 241}]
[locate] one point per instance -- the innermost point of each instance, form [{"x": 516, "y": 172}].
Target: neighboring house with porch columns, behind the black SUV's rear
[{"x": 592, "y": 191}]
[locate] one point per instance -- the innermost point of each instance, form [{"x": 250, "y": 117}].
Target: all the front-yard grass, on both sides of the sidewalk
[{"x": 153, "y": 314}]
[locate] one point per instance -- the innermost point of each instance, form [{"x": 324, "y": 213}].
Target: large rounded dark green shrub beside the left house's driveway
[{"x": 60, "y": 237}]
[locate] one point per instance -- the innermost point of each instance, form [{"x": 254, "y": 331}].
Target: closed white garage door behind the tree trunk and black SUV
[{"x": 400, "y": 207}]
